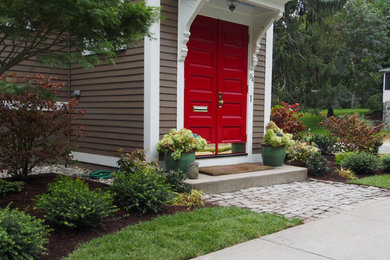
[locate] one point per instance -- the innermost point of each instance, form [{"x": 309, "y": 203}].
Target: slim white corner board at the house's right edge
[{"x": 268, "y": 75}]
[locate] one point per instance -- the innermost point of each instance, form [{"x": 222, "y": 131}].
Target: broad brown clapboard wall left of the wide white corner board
[{"x": 113, "y": 98}]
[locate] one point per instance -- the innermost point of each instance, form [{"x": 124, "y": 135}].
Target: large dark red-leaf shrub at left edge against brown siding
[{"x": 34, "y": 128}]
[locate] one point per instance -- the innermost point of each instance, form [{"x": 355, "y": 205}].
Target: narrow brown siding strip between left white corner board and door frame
[{"x": 168, "y": 67}]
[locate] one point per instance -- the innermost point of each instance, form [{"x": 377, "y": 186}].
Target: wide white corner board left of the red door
[{"x": 152, "y": 88}]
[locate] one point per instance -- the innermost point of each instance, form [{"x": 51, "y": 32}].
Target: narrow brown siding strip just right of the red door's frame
[{"x": 258, "y": 106}]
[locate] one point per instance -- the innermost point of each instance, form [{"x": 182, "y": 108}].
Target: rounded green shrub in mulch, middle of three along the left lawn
[{"x": 71, "y": 203}]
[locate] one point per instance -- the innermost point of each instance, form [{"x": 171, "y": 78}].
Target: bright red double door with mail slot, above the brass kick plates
[{"x": 216, "y": 80}]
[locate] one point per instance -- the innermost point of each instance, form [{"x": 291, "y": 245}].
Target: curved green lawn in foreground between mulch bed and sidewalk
[{"x": 184, "y": 235}]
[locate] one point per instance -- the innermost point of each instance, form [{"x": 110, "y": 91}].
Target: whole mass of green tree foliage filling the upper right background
[{"x": 328, "y": 53}]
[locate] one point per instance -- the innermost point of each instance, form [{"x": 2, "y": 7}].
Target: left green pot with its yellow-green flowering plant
[{"x": 180, "y": 147}]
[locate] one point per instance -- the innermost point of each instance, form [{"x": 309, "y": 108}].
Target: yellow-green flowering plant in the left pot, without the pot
[{"x": 183, "y": 141}]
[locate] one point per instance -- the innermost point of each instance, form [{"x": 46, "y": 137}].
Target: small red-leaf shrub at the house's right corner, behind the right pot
[{"x": 287, "y": 117}]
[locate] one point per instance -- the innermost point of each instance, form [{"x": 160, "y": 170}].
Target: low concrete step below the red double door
[{"x": 232, "y": 182}]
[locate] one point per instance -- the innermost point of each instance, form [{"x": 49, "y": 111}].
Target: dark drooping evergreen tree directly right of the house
[{"x": 304, "y": 68}]
